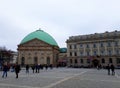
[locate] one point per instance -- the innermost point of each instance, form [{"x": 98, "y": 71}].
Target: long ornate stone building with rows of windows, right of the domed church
[{"x": 94, "y": 49}]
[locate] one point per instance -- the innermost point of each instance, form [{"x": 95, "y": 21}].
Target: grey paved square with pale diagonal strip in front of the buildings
[{"x": 62, "y": 78}]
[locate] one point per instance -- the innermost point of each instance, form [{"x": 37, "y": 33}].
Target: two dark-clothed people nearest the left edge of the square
[{"x": 5, "y": 68}]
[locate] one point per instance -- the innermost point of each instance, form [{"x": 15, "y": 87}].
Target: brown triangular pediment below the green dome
[{"x": 35, "y": 42}]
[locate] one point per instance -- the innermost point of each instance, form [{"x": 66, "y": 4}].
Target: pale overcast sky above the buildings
[{"x": 59, "y": 18}]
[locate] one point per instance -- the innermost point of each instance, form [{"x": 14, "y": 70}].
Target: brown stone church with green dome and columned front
[{"x": 38, "y": 47}]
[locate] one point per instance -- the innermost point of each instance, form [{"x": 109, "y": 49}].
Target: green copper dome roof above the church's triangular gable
[{"x": 41, "y": 35}]
